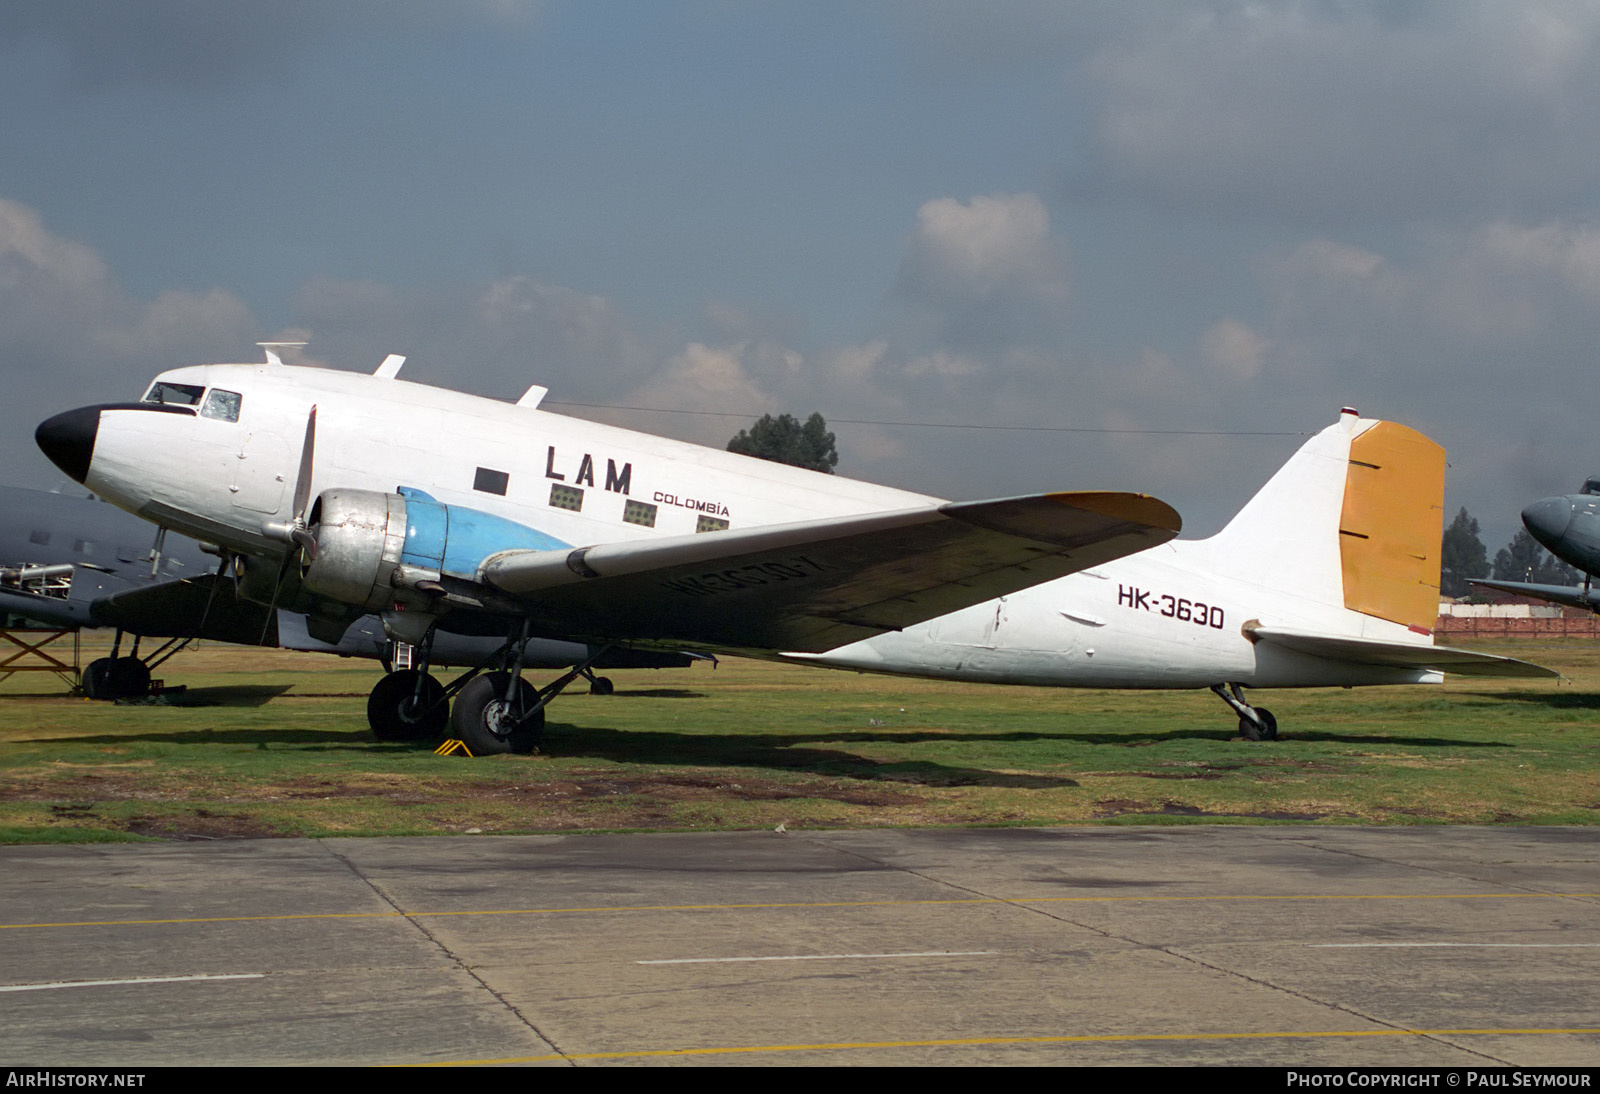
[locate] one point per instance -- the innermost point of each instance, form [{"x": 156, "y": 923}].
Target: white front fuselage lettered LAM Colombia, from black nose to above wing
[{"x": 577, "y": 482}]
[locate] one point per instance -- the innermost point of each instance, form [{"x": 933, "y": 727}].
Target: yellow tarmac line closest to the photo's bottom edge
[{"x": 990, "y": 1042}]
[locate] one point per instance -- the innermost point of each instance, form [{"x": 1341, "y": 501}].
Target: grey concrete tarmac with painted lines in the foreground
[{"x": 1290, "y": 946}]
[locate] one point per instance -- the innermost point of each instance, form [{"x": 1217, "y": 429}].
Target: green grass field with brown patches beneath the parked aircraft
[{"x": 274, "y": 745}]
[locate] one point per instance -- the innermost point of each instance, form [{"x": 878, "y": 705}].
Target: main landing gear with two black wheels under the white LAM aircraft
[{"x": 490, "y": 711}]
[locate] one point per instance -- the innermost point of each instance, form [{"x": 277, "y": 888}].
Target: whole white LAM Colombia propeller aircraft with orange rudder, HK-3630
[{"x": 343, "y": 495}]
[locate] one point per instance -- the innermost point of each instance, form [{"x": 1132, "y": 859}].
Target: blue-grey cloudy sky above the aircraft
[{"x": 1159, "y": 242}]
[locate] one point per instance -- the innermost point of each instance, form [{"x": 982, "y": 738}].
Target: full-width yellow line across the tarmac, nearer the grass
[{"x": 814, "y": 904}]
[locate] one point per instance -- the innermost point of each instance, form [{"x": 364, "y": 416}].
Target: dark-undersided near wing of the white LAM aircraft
[{"x": 820, "y": 585}]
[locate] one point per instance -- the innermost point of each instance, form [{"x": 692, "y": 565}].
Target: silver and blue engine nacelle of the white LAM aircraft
[{"x": 366, "y": 538}]
